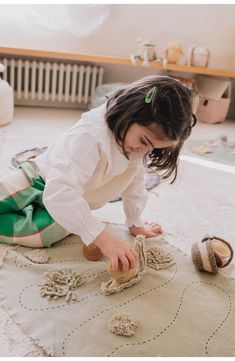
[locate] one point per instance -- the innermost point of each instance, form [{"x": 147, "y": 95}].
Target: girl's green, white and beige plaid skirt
[{"x": 24, "y": 219}]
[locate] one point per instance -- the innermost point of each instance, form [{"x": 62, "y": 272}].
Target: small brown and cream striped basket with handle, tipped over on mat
[{"x": 211, "y": 253}]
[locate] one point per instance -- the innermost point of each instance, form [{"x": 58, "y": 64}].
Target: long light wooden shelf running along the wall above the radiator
[{"x": 4, "y": 51}]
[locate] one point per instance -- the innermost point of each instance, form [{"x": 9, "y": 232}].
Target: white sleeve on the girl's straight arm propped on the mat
[{"x": 134, "y": 200}]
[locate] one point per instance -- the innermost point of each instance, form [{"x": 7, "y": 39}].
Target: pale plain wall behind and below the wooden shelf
[{"x": 212, "y": 26}]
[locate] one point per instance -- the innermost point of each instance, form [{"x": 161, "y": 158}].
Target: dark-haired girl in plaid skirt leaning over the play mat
[{"x": 143, "y": 124}]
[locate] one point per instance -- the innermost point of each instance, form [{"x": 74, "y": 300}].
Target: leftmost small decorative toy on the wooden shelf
[{"x": 146, "y": 52}]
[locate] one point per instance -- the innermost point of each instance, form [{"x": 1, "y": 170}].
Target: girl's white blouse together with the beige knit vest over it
[{"x": 83, "y": 170}]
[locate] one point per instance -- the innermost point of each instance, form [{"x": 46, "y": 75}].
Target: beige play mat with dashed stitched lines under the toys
[{"x": 180, "y": 311}]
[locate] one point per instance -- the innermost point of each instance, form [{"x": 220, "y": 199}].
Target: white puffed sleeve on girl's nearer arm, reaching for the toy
[{"x": 76, "y": 159}]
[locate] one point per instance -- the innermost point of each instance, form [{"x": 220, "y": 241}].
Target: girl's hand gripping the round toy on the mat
[{"x": 116, "y": 251}]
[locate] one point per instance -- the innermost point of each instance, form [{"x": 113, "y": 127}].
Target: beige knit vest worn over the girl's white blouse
[{"x": 102, "y": 188}]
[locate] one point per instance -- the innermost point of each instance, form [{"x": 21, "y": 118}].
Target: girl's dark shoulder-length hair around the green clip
[{"x": 171, "y": 108}]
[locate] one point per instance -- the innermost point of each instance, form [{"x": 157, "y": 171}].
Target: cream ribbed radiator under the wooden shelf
[{"x": 50, "y": 83}]
